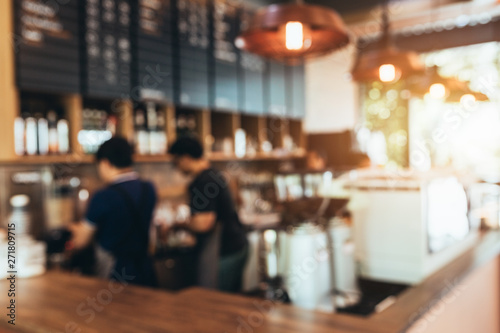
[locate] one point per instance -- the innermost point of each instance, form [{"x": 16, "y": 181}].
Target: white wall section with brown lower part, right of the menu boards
[{"x": 332, "y": 107}]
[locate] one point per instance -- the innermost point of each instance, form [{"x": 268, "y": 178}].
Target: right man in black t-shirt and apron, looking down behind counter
[{"x": 212, "y": 205}]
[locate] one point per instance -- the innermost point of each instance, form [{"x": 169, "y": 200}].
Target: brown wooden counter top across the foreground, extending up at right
[{"x": 52, "y": 303}]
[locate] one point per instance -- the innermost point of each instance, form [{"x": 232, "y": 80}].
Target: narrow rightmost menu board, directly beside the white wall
[{"x": 296, "y": 91}]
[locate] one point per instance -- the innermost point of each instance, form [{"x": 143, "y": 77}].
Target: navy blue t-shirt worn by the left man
[{"x": 109, "y": 212}]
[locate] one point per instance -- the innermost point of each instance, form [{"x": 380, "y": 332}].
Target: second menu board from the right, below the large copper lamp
[{"x": 276, "y": 88}]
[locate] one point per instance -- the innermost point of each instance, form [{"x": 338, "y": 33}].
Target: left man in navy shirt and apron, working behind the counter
[{"x": 118, "y": 218}]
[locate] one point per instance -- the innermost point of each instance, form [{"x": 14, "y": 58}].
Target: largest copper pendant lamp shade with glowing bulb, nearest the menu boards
[{"x": 291, "y": 32}]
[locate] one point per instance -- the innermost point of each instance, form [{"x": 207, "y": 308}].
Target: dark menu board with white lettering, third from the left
[{"x": 153, "y": 50}]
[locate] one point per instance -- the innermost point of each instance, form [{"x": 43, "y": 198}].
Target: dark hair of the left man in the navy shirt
[{"x": 117, "y": 151}]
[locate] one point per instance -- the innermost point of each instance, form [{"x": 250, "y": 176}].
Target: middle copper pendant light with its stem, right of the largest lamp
[{"x": 385, "y": 62}]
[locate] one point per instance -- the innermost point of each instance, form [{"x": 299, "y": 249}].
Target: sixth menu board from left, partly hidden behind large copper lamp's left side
[{"x": 252, "y": 70}]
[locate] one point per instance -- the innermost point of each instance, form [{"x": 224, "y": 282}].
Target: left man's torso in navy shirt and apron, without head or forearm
[{"x": 122, "y": 238}]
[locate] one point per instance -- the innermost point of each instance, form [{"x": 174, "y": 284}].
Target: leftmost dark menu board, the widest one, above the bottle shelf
[{"x": 46, "y": 45}]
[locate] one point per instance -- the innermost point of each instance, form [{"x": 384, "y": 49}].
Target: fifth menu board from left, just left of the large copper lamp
[{"x": 225, "y": 54}]
